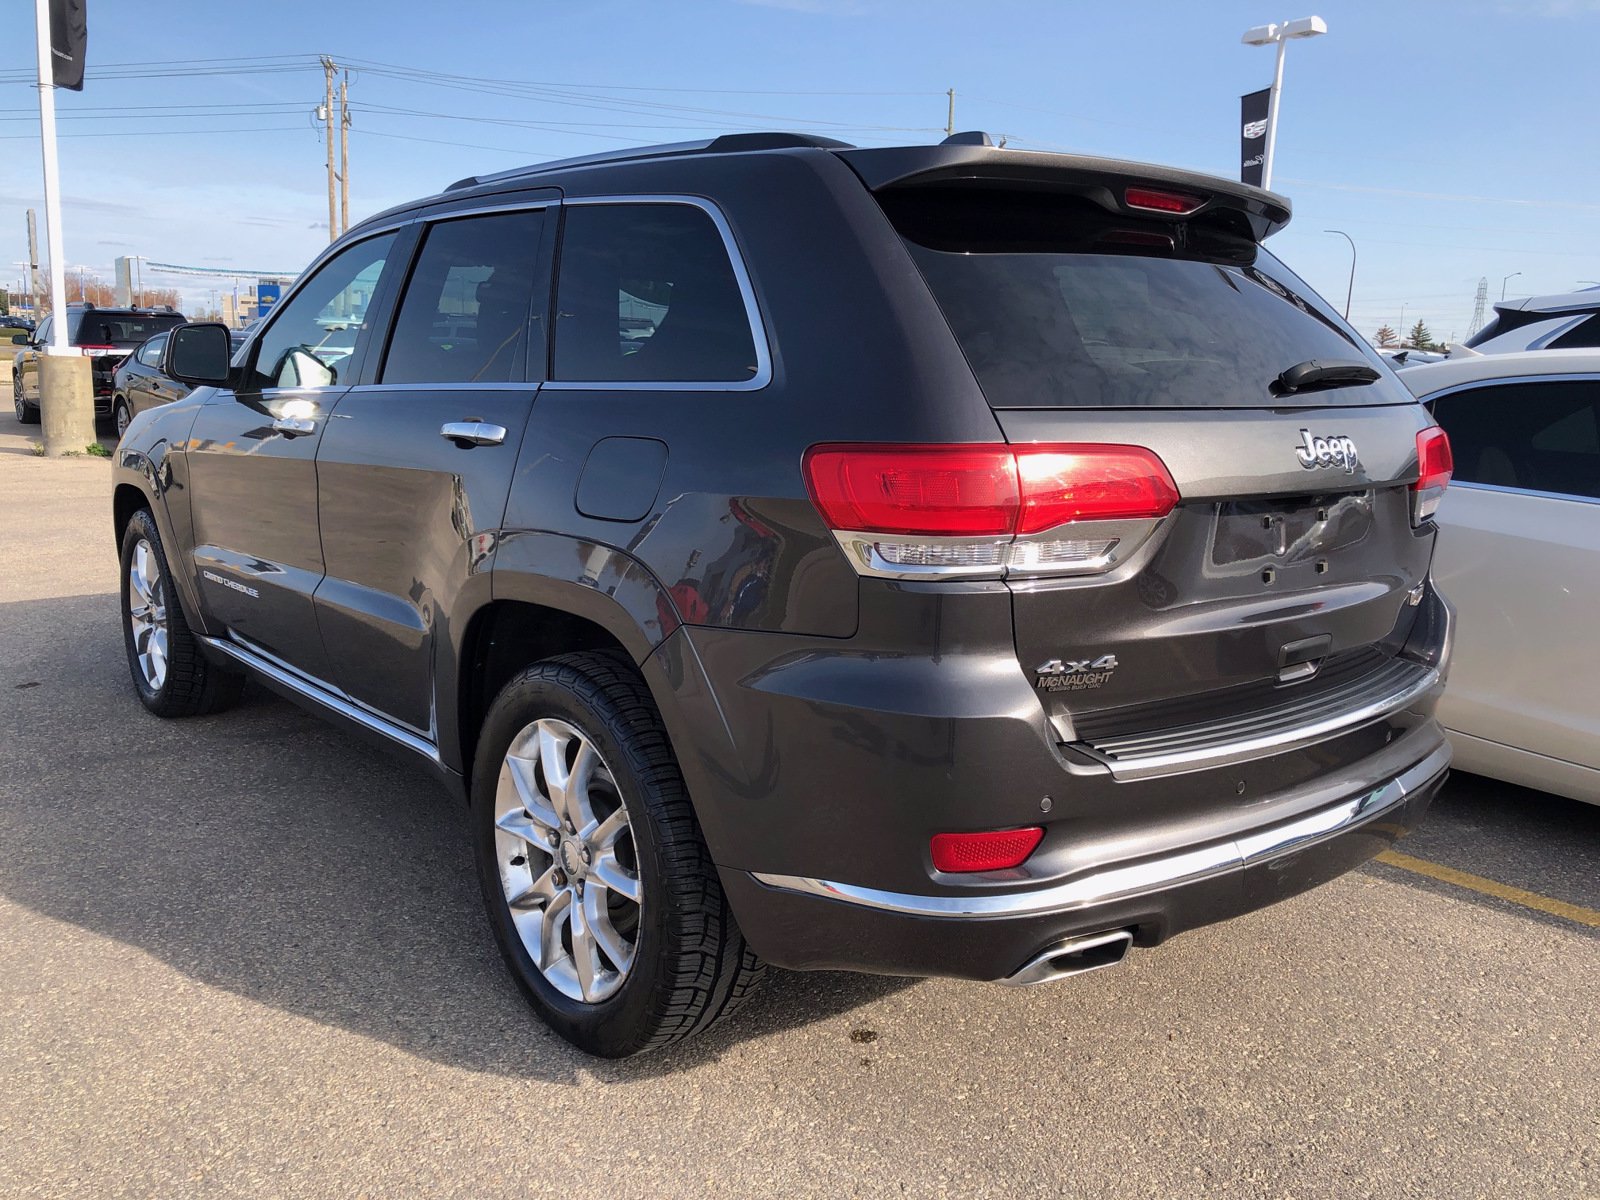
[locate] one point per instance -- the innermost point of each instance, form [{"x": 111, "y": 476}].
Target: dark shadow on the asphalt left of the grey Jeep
[{"x": 265, "y": 854}]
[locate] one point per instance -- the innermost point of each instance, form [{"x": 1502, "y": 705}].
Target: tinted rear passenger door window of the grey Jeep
[{"x": 466, "y": 311}]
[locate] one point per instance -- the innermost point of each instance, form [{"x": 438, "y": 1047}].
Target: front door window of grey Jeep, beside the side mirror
[{"x": 313, "y": 337}]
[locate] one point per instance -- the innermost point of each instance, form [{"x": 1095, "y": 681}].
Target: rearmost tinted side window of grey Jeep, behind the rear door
[{"x": 647, "y": 294}]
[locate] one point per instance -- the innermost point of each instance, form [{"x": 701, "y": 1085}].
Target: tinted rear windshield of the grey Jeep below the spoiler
[{"x": 1060, "y": 305}]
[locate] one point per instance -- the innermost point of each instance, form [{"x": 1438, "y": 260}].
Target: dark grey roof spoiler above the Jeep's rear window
[{"x": 1105, "y": 182}]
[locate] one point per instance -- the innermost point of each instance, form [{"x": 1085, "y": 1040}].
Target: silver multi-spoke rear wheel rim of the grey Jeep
[{"x": 567, "y": 860}]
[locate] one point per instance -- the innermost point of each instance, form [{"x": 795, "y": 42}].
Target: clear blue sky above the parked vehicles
[{"x": 1452, "y": 142}]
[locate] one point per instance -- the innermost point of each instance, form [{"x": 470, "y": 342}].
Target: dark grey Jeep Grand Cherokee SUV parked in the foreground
[{"x": 926, "y": 561}]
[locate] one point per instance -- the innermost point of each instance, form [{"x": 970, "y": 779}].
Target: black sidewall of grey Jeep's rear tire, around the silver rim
[{"x": 618, "y": 1025}]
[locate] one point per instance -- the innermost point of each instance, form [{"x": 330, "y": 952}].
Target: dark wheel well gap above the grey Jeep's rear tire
[{"x": 503, "y": 639}]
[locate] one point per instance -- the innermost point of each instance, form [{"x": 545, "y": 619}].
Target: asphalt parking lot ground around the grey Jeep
[{"x": 244, "y": 956}]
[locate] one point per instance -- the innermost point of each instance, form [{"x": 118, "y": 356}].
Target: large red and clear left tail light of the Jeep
[{"x": 967, "y": 511}]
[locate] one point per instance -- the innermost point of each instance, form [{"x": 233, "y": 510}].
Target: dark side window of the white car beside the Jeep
[{"x": 1535, "y": 438}]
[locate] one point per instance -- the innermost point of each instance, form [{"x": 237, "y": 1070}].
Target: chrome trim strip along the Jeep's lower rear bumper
[{"x": 1124, "y": 881}]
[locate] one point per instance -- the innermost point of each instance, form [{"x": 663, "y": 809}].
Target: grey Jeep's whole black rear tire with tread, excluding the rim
[{"x": 692, "y": 966}]
